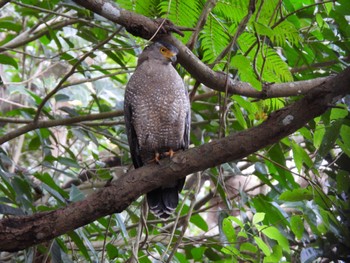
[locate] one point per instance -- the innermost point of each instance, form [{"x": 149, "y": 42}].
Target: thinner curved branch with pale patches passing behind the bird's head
[{"x": 145, "y": 27}]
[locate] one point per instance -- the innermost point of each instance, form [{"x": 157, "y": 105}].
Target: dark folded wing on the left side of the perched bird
[{"x": 132, "y": 137}]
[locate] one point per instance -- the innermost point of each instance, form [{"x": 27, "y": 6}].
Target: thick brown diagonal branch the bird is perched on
[{"x": 17, "y": 233}]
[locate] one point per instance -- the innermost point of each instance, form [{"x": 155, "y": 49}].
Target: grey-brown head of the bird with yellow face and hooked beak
[{"x": 159, "y": 50}]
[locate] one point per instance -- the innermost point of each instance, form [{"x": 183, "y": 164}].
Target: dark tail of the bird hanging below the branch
[{"x": 163, "y": 201}]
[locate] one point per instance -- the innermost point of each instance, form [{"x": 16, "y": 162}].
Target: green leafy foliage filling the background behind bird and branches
[{"x": 288, "y": 202}]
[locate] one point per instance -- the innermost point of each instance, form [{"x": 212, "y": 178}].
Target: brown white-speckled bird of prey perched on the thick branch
[{"x": 157, "y": 118}]
